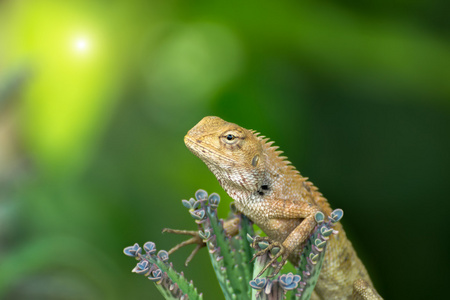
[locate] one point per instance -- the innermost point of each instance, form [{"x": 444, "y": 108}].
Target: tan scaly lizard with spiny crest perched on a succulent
[{"x": 268, "y": 189}]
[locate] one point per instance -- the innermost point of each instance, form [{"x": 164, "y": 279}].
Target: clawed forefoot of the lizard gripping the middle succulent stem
[{"x": 271, "y": 245}]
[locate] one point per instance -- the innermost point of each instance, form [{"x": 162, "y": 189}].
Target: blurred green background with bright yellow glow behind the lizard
[{"x": 96, "y": 96}]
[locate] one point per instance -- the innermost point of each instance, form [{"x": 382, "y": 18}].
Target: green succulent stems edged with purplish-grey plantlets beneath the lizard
[{"x": 231, "y": 258}]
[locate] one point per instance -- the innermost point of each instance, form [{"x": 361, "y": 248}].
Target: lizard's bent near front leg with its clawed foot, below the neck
[{"x": 288, "y": 210}]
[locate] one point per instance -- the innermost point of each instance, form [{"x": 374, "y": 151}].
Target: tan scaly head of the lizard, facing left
[{"x": 234, "y": 154}]
